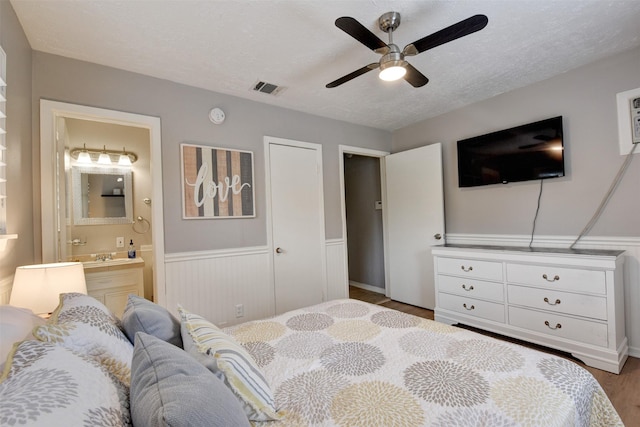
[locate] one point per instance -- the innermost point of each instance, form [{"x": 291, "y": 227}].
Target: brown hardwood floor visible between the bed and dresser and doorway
[{"x": 623, "y": 390}]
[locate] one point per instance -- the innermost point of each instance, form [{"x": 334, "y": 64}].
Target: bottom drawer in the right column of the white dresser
[{"x": 585, "y": 331}]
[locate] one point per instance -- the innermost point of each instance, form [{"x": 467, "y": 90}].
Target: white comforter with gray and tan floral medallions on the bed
[{"x": 350, "y": 363}]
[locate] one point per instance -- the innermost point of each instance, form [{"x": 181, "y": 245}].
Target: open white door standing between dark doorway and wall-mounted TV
[{"x": 414, "y": 221}]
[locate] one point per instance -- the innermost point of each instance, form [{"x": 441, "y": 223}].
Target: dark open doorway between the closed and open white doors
[{"x": 362, "y": 175}]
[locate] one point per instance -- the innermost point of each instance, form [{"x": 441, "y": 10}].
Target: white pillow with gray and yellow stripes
[{"x": 234, "y": 365}]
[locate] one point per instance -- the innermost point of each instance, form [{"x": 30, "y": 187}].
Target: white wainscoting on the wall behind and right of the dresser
[{"x": 631, "y": 246}]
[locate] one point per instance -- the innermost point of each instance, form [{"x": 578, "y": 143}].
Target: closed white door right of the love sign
[{"x": 297, "y": 223}]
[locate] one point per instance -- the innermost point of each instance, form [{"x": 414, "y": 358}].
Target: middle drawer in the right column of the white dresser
[{"x": 559, "y": 302}]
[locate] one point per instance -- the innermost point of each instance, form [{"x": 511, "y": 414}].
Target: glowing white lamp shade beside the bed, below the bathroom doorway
[{"x": 38, "y": 287}]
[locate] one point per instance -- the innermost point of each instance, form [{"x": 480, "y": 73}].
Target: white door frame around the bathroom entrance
[{"x": 50, "y": 111}]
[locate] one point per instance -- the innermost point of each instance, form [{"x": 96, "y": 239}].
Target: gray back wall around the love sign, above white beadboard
[{"x": 183, "y": 111}]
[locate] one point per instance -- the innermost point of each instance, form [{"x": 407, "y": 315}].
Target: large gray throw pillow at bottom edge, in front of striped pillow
[{"x": 171, "y": 388}]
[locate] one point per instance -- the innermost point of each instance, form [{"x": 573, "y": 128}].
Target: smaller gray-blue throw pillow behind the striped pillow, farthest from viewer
[{"x": 142, "y": 315}]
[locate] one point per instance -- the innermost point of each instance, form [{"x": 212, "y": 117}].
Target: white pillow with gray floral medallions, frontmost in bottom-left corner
[{"x": 46, "y": 384}]
